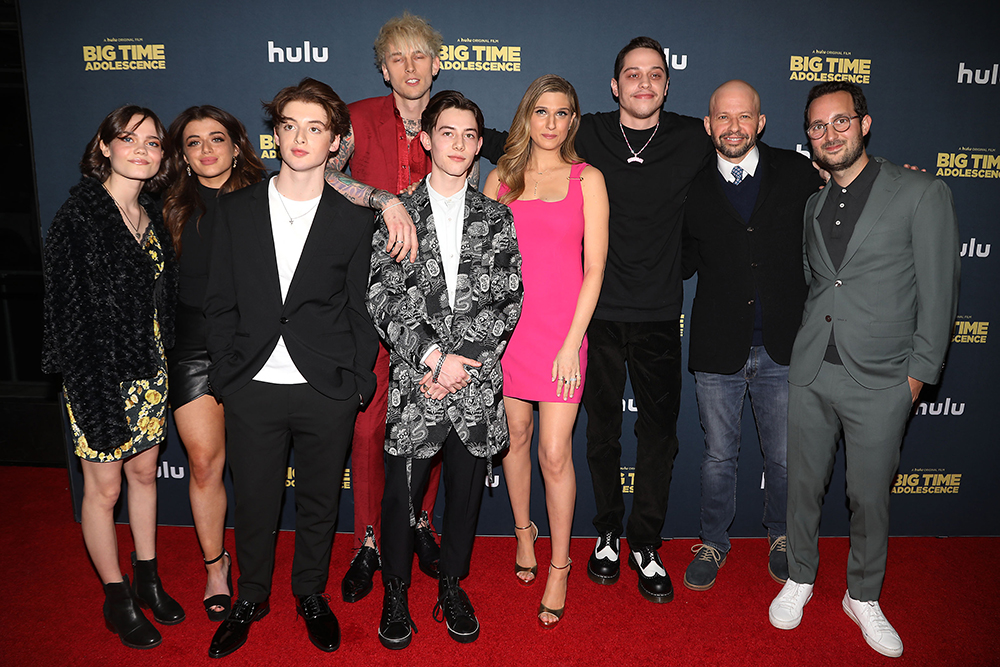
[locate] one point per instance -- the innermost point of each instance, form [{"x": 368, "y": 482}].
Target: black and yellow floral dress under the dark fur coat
[{"x": 145, "y": 399}]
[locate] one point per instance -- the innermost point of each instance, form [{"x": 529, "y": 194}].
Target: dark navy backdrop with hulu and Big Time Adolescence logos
[{"x": 930, "y": 71}]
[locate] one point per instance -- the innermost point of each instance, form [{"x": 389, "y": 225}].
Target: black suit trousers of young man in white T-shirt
[{"x": 262, "y": 421}]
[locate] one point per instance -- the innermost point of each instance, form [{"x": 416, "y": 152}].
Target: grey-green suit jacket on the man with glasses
[{"x": 892, "y": 301}]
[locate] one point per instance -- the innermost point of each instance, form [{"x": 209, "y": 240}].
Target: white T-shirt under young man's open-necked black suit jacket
[{"x": 289, "y": 239}]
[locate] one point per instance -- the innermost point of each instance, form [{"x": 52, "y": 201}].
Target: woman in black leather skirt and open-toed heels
[{"x": 212, "y": 156}]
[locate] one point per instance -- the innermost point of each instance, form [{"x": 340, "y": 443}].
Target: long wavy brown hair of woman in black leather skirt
[{"x": 182, "y": 198}]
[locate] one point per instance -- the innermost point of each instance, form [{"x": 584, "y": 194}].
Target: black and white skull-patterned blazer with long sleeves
[{"x": 409, "y": 306}]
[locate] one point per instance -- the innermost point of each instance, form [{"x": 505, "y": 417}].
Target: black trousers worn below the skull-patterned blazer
[{"x": 464, "y": 477}]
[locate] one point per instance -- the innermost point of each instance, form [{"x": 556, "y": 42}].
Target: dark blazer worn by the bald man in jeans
[{"x": 736, "y": 260}]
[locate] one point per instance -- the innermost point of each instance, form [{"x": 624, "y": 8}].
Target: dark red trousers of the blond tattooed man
[{"x": 368, "y": 462}]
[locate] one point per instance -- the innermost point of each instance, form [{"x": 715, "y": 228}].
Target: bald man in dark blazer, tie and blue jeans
[{"x": 743, "y": 236}]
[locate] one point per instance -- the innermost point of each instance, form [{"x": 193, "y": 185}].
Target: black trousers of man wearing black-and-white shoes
[{"x": 652, "y": 352}]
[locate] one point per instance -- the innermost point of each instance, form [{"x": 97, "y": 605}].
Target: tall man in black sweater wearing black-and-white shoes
[{"x": 649, "y": 158}]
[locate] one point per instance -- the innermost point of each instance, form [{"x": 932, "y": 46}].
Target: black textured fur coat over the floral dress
[{"x": 100, "y": 296}]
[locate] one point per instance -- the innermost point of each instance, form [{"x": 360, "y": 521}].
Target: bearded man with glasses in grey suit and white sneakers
[{"x": 881, "y": 259}]
